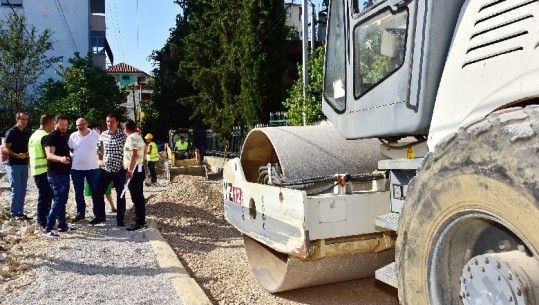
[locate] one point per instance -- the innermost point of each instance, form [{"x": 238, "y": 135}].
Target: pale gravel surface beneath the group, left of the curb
[{"x": 93, "y": 265}]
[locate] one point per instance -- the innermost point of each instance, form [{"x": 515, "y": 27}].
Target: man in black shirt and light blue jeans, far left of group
[{"x": 16, "y": 147}]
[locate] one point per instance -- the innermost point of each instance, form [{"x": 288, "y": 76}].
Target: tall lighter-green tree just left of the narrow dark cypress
[{"x": 212, "y": 54}]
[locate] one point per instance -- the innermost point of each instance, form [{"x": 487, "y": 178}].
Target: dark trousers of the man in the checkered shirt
[{"x": 105, "y": 177}]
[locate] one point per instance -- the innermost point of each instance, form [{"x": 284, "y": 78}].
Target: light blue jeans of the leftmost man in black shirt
[{"x": 18, "y": 177}]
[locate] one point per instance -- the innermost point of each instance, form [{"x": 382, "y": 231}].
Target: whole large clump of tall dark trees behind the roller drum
[{"x": 229, "y": 59}]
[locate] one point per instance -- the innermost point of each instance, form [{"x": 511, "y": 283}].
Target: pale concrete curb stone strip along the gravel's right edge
[{"x": 187, "y": 289}]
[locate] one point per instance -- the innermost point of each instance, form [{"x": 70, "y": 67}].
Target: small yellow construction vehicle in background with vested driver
[{"x": 183, "y": 158}]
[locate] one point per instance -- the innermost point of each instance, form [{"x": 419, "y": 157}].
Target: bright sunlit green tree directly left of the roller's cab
[{"x": 296, "y": 104}]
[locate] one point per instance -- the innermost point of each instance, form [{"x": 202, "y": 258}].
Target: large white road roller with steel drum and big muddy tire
[{"x": 427, "y": 177}]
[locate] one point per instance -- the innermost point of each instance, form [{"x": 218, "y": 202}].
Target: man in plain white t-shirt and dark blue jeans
[{"x": 83, "y": 143}]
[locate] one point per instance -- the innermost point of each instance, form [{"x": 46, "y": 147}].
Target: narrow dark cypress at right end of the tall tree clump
[{"x": 263, "y": 40}]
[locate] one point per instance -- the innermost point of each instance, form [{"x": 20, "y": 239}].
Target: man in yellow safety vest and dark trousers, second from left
[{"x": 38, "y": 168}]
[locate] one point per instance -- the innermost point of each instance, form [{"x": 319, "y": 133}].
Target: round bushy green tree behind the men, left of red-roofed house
[{"x": 85, "y": 91}]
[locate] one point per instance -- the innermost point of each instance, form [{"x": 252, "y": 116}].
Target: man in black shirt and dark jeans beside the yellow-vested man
[{"x": 58, "y": 171}]
